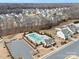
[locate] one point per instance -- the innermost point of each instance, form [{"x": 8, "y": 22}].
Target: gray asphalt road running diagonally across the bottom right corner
[{"x": 72, "y": 49}]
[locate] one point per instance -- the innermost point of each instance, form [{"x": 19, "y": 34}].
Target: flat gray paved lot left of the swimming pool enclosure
[{"x": 18, "y": 48}]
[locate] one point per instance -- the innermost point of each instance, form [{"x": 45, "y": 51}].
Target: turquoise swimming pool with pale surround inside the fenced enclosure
[{"x": 36, "y": 38}]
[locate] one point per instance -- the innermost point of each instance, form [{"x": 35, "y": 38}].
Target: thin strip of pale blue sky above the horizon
[{"x": 39, "y": 1}]
